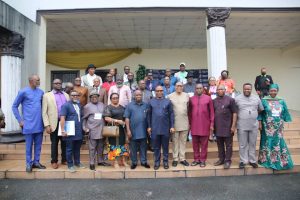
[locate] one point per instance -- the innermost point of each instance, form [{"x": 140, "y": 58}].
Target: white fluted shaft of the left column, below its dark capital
[{"x": 10, "y": 85}]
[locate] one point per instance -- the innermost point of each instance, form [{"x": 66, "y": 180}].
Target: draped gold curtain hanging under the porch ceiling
[{"x": 81, "y": 59}]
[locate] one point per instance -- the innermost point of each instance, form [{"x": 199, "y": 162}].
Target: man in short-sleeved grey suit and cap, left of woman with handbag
[{"x": 93, "y": 124}]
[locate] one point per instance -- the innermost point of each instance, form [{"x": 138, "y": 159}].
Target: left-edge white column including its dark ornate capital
[{"x": 12, "y": 54}]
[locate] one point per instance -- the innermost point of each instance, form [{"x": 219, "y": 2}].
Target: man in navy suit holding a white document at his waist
[{"x": 71, "y": 130}]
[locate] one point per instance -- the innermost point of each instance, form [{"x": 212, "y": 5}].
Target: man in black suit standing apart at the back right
[{"x": 262, "y": 83}]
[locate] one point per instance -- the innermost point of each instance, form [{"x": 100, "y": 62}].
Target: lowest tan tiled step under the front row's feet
[{"x": 15, "y": 169}]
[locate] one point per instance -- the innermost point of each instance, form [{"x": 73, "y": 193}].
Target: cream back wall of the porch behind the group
[{"x": 244, "y": 65}]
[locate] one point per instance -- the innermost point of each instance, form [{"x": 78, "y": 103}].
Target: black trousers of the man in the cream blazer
[{"x": 54, "y": 146}]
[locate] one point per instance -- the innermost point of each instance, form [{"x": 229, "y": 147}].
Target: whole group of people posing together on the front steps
[{"x": 148, "y": 114}]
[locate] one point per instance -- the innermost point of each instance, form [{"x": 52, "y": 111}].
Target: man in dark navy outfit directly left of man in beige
[{"x": 160, "y": 125}]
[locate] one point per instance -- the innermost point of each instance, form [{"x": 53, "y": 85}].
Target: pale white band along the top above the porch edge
[{"x": 29, "y": 7}]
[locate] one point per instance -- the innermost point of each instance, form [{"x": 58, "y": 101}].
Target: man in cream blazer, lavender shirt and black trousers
[{"x": 52, "y": 103}]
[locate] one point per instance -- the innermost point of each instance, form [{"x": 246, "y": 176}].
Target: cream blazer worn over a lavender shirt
[{"x": 49, "y": 110}]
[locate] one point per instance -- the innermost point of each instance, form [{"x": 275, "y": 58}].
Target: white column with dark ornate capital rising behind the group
[{"x": 216, "y": 41}]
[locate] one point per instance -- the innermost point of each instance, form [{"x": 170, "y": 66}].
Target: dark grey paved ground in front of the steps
[{"x": 241, "y": 187}]
